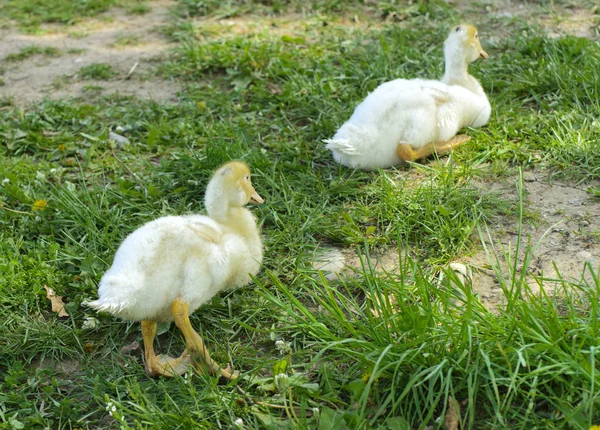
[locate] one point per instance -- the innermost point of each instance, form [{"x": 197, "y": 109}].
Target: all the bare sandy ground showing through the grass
[{"x": 124, "y": 41}]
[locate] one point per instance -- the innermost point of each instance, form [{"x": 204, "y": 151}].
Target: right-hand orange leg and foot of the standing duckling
[{"x": 195, "y": 344}]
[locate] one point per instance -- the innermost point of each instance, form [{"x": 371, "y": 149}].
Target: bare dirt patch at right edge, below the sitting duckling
[{"x": 562, "y": 231}]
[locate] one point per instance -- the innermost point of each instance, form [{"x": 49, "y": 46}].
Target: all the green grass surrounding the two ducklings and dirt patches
[{"x": 270, "y": 100}]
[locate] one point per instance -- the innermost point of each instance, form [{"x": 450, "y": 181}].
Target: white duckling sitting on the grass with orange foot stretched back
[{"x": 404, "y": 120}]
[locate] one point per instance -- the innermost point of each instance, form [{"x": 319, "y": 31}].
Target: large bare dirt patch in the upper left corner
[{"x": 115, "y": 38}]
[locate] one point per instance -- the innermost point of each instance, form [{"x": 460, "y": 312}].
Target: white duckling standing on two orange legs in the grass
[{"x": 169, "y": 267}]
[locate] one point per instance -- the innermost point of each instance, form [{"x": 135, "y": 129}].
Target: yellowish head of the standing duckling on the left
[{"x": 230, "y": 186}]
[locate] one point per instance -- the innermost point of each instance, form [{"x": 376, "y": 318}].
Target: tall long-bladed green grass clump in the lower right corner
[{"x": 531, "y": 364}]
